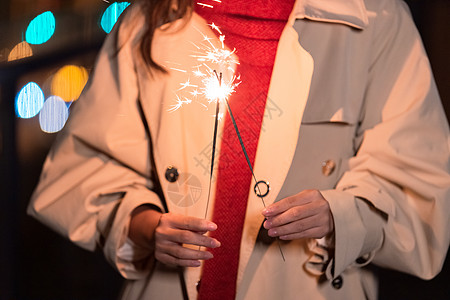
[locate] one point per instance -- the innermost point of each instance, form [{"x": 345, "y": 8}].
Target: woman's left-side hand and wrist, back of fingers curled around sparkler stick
[{"x": 170, "y": 232}]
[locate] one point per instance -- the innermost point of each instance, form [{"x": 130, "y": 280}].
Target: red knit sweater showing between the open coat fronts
[{"x": 253, "y": 28}]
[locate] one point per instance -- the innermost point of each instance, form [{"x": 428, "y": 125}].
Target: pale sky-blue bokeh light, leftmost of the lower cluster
[{"x": 29, "y": 101}]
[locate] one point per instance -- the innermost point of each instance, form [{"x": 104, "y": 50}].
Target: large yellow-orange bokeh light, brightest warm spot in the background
[{"x": 68, "y": 82}]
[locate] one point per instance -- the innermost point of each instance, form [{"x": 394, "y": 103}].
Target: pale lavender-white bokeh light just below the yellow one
[{"x": 53, "y": 115}]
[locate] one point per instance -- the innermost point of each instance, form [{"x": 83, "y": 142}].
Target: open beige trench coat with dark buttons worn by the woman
[{"x": 352, "y": 110}]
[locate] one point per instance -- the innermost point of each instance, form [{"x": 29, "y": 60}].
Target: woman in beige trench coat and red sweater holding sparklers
[{"x": 339, "y": 114}]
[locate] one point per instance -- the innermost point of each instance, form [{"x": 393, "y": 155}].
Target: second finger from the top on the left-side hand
[{"x": 185, "y": 237}]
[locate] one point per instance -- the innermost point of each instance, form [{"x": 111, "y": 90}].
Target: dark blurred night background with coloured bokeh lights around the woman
[{"x": 47, "y": 51}]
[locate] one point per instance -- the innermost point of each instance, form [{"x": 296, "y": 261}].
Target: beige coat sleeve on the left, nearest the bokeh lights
[{"x": 99, "y": 168}]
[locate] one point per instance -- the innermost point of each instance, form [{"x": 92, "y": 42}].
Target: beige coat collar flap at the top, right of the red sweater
[{"x": 349, "y": 12}]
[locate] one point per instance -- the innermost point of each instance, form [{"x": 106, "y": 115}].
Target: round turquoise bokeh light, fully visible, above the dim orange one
[{"x": 41, "y": 28}]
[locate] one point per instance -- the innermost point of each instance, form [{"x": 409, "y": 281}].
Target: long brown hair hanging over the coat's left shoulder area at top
[{"x": 157, "y": 13}]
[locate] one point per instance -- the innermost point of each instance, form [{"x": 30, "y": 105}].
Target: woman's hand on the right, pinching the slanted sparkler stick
[{"x": 304, "y": 215}]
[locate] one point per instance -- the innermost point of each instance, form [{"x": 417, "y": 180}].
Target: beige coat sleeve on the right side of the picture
[{"x": 392, "y": 206}]
